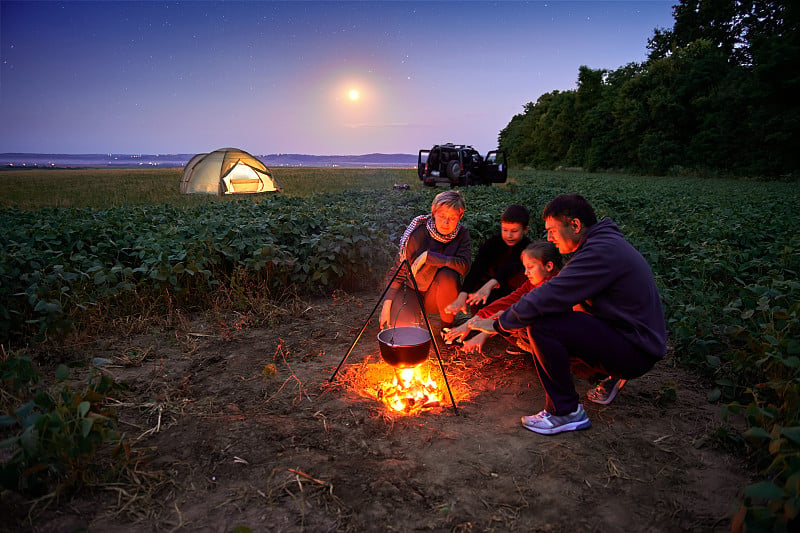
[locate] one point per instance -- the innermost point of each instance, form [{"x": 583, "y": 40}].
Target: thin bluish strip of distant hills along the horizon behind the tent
[{"x": 26, "y": 160}]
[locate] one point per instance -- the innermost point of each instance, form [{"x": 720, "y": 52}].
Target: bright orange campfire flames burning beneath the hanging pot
[{"x": 409, "y": 392}]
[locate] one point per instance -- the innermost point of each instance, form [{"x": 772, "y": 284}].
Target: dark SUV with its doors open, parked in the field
[{"x": 460, "y": 164}]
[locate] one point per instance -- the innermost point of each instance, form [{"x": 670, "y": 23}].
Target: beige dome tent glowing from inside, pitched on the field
[{"x": 227, "y": 171}]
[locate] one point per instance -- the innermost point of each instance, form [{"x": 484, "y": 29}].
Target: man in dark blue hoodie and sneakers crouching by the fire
[{"x": 603, "y": 310}]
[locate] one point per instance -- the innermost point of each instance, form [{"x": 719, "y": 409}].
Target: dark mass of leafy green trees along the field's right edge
[{"x": 718, "y": 94}]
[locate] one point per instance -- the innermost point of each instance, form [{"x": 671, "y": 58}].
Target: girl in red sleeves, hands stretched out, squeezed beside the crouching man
[{"x": 542, "y": 261}]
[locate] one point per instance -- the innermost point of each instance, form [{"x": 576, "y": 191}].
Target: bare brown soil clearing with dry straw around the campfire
[{"x": 234, "y": 444}]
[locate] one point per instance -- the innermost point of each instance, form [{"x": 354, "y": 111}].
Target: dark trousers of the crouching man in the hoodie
[{"x": 577, "y": 342}]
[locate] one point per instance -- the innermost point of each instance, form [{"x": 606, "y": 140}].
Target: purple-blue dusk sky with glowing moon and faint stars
[{"x": 277, "y": 77}]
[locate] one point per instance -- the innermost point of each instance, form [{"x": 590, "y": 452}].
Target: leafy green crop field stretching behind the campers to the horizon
[{"x": 80, "y": 247}]
